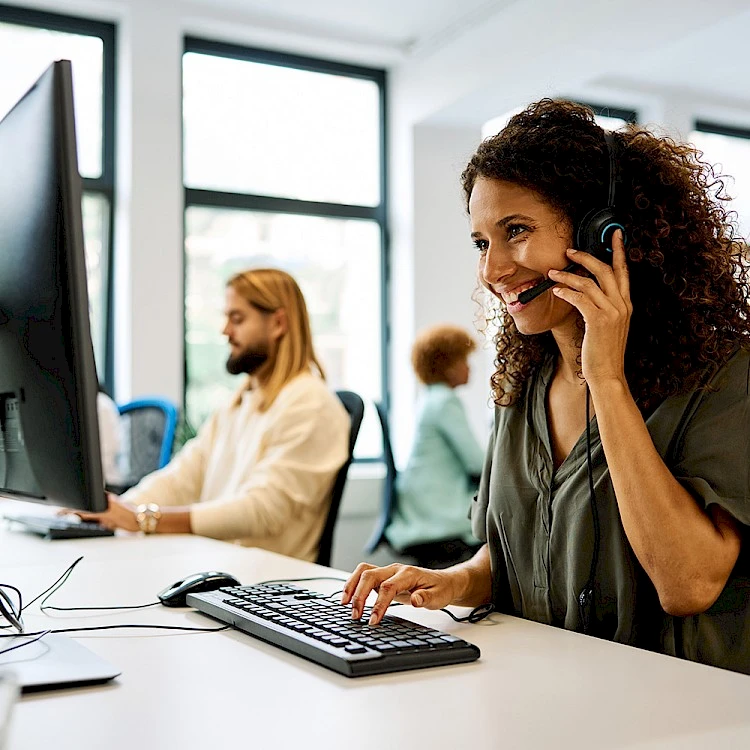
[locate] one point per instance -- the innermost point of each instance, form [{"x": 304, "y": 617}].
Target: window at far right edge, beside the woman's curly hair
[{"x": 729, "y": 149}]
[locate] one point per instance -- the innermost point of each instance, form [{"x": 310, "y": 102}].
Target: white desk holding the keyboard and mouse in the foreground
[{"x": 534, "y": 686}]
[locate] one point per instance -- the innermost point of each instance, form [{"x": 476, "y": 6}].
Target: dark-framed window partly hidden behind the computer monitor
[{"x": 29, "y": 42}]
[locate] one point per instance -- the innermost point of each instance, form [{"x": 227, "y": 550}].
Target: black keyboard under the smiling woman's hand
[{"x": 313, "y": 626}]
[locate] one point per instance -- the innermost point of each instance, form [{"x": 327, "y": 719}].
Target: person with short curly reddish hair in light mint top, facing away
[{"x": 431, "y": 517}]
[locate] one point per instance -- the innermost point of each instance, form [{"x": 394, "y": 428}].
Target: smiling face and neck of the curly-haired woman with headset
[{"x": 520, "y": 238}]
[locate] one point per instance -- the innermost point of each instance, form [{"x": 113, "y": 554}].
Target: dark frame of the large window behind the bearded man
[{"x": 198, "y": 197}]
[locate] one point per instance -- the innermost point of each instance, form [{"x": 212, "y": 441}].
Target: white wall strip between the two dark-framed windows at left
[{"x": 148, "y": 220}]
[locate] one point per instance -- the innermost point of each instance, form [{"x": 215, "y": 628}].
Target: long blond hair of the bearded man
[{"x": 269, "y": 290}]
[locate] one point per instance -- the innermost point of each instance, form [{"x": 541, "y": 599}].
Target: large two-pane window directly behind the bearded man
[{"x": 284, "y": 166}]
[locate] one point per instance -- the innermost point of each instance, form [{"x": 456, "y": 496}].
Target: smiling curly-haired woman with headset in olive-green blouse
[{"x": 615, "y": 495}]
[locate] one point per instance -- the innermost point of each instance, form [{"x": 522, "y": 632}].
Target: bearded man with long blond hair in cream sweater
[{"x": 261, "y": 470}]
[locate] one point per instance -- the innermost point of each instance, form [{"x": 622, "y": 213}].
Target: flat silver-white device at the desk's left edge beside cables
[{"x": 54, "y": 661}]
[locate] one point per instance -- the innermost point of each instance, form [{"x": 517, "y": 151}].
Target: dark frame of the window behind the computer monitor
[{"x": 104, "y": 185}]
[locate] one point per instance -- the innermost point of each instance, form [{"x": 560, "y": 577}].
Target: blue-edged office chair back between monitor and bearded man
[{"x": 148, "y": 427}]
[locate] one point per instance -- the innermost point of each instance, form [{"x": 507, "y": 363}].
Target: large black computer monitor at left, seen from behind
[{"x": 49, "y": 434}]
